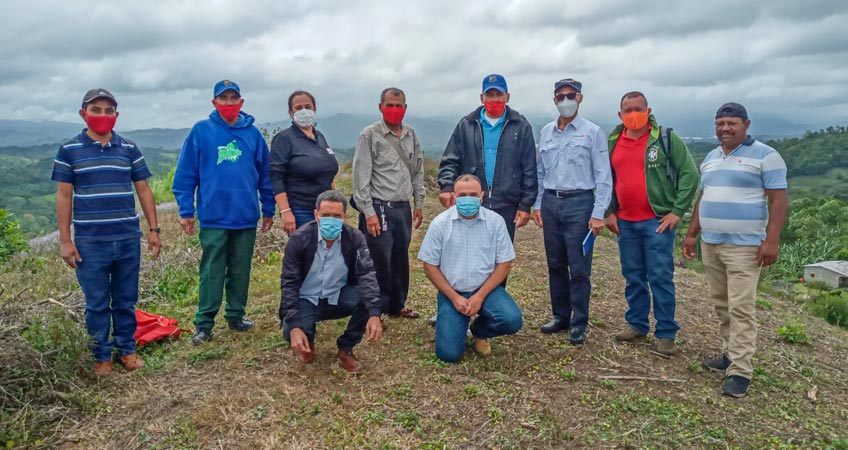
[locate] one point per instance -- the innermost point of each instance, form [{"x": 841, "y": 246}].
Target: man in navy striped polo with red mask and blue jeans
[{"x": 96, "y": 172}]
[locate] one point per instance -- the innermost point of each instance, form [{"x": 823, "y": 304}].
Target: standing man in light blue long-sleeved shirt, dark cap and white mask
[{"x": 575, "y": 187}]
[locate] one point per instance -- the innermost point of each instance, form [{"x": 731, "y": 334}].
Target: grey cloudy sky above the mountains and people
[{"x": 786, "y": 60}]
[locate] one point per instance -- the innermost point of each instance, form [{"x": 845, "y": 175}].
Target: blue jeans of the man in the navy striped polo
[{"x": 108, "y": 276}]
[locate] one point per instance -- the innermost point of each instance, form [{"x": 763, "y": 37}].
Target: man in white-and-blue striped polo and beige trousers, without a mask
[{"x": 740, "y": 214}]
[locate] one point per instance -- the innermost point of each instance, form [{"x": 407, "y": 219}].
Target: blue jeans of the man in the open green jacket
[{"x": 647, "y": 261}]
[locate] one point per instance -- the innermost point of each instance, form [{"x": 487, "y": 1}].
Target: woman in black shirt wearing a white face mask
[{"x": 302, "y": 164}]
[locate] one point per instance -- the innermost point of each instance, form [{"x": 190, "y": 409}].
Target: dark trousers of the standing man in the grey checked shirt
[{"x": 390, "y": 252}]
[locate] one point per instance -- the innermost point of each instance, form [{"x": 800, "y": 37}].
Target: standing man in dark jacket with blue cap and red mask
[{"x": 494, "y": 143}]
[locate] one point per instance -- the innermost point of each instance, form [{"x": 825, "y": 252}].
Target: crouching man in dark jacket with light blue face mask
[{"x": 327, "y": 275}]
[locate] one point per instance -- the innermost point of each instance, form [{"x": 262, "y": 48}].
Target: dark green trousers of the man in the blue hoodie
[{"x": 227, "y": 255}]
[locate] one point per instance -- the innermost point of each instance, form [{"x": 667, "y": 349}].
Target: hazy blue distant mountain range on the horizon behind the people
[{"x": 342, "y": 131}]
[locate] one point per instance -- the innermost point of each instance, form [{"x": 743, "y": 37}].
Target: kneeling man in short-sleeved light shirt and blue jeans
[{"x": 467, "y": 253}]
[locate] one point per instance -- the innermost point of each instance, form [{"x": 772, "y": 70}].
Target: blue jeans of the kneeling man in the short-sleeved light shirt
[{"x": 498, "y": 316}]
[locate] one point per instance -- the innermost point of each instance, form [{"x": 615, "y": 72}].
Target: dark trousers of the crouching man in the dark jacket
[{"x": 349, "y": 305}]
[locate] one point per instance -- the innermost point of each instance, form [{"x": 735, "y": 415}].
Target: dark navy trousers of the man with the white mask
[{"x": 566, "y": 222}]
